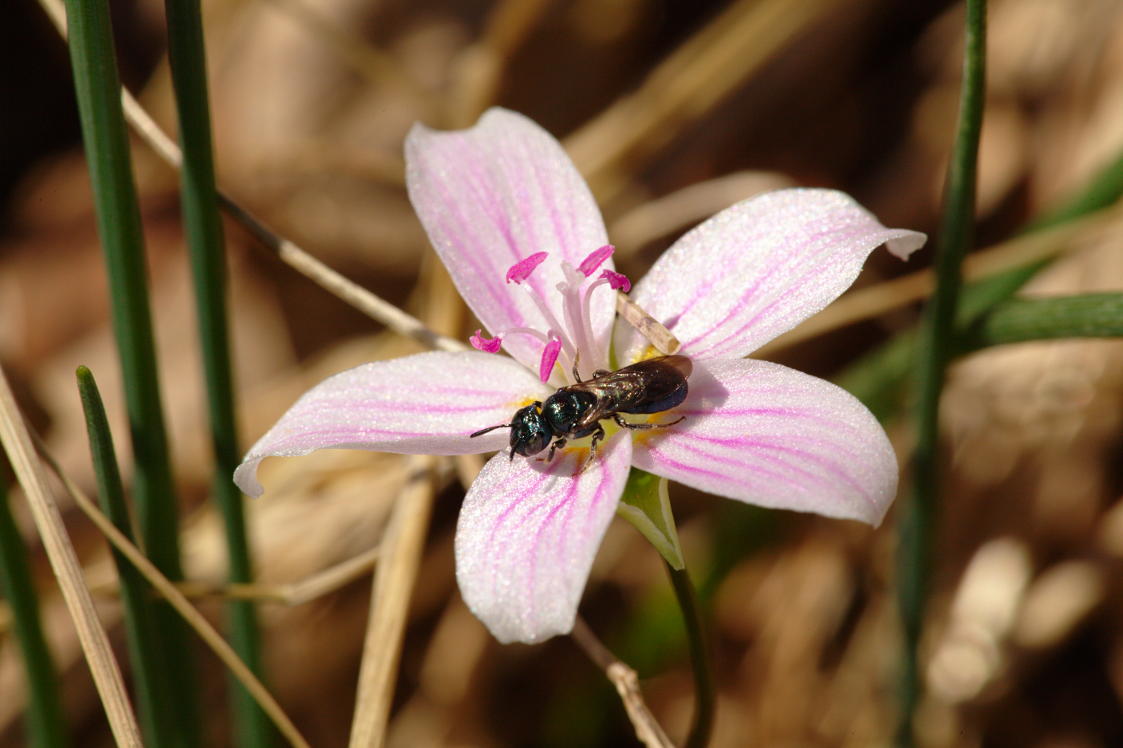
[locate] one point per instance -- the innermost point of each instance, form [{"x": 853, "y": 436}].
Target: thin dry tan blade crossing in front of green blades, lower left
[{"x": 195, "y": 619}]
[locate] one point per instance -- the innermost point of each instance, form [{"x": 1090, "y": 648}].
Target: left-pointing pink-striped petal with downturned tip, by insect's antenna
[{"x": 427, "y": 404}]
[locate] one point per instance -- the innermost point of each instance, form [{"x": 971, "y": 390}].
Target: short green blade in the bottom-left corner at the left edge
[{"x": 45, "y": 725}]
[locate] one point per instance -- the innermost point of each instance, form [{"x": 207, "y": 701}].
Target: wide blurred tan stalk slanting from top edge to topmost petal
[{"x": 688, "y": 85}]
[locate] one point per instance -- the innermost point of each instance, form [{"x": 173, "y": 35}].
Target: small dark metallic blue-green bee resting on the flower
[{"x": 576, "y": 412}]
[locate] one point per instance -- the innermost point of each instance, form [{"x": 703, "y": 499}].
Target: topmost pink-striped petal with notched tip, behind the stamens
[{"x": 491, "y": 196}]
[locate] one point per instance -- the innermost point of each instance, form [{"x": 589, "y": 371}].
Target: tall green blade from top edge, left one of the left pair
[{"x": 98, "y": 90}]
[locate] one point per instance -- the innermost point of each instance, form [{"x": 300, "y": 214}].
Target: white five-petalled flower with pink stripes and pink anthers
[{"x": 523, "y": 239}]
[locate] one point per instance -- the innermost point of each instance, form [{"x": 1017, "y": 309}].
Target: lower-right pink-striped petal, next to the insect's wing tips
[{"x": 772, "y": 436}]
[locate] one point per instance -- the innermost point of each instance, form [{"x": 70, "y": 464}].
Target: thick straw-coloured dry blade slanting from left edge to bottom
[{"x": 107, "y": 676}]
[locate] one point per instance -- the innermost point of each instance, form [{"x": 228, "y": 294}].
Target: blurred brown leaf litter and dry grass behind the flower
[{"x": 673, "y": 112}]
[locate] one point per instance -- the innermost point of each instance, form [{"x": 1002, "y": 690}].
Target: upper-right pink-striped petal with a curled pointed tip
[{"x": 757, "y": 270}]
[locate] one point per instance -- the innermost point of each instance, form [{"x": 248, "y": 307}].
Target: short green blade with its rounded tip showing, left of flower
[{"x": 154, "y": 704}]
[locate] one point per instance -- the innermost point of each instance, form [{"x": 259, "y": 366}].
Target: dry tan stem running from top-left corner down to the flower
[{"x": 289, "y": 252}]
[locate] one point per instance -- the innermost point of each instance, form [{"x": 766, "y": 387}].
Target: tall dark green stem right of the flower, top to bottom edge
[{"x": 935, "y": 352}]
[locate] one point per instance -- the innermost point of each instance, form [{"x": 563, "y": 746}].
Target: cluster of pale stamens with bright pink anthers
[{"x": 571, "y": 339}]
